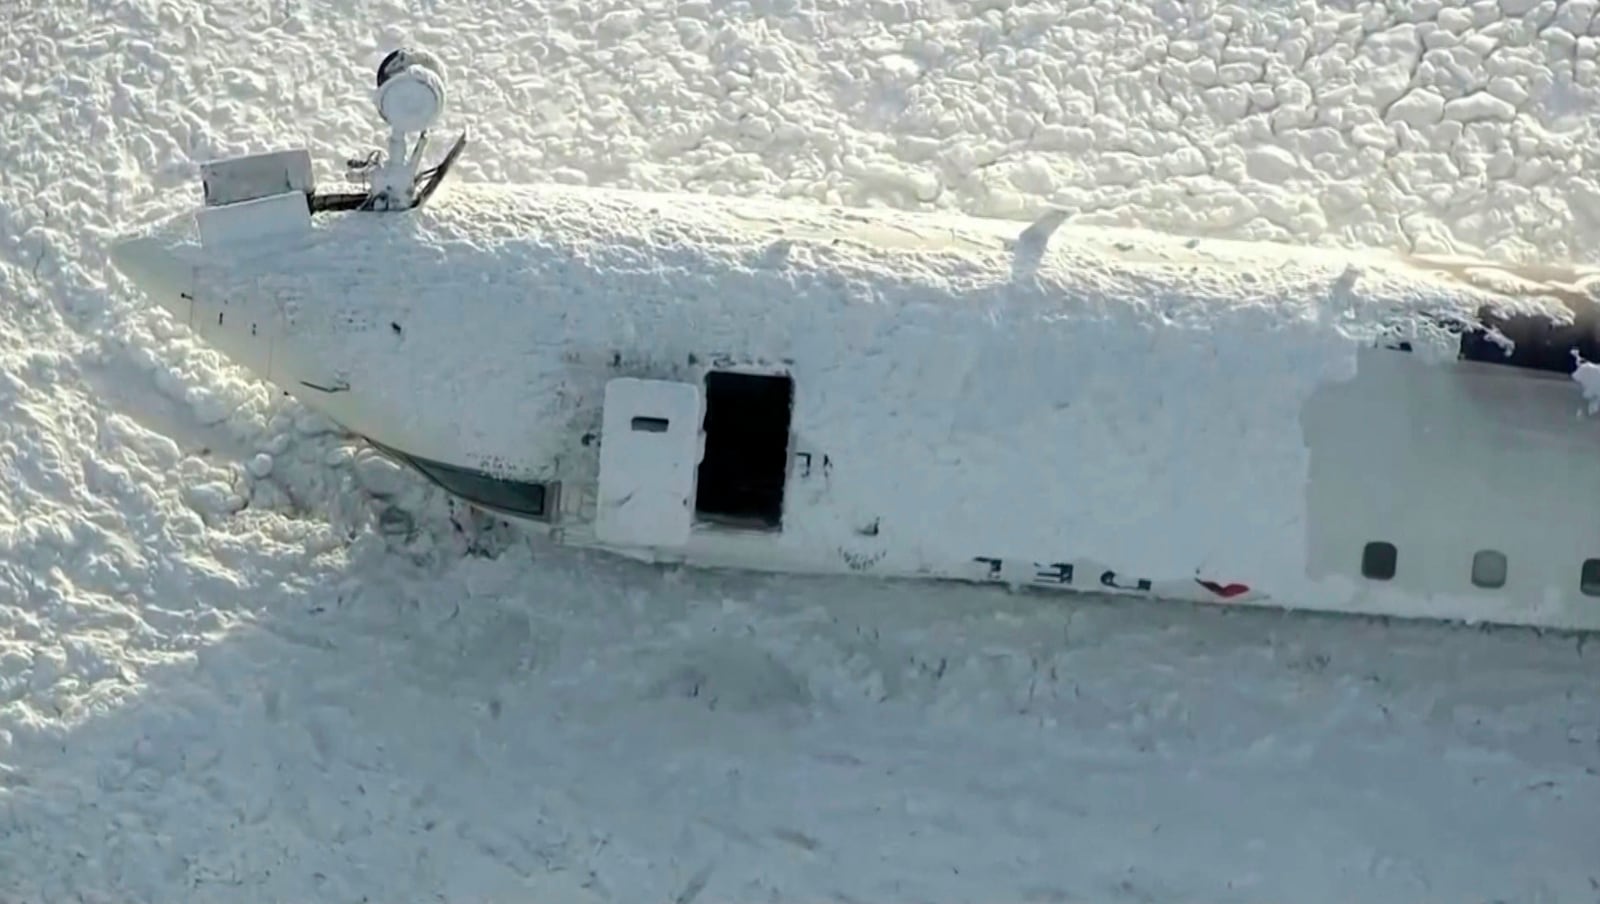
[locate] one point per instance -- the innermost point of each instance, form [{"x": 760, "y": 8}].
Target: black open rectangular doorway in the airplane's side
[{"x": 742, "y": 476}]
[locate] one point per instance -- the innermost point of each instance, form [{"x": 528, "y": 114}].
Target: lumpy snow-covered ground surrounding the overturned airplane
[{"x": 225, "y": 676}]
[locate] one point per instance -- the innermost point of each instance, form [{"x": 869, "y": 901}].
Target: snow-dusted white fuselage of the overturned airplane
[{"x": 1094, "y": 409}]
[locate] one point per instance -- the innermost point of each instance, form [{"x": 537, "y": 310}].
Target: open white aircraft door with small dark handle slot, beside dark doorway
[{"x": 650, "y": 452}]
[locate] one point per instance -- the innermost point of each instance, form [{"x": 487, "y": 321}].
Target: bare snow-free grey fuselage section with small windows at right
[{"x": 1452, "y": 462}]
